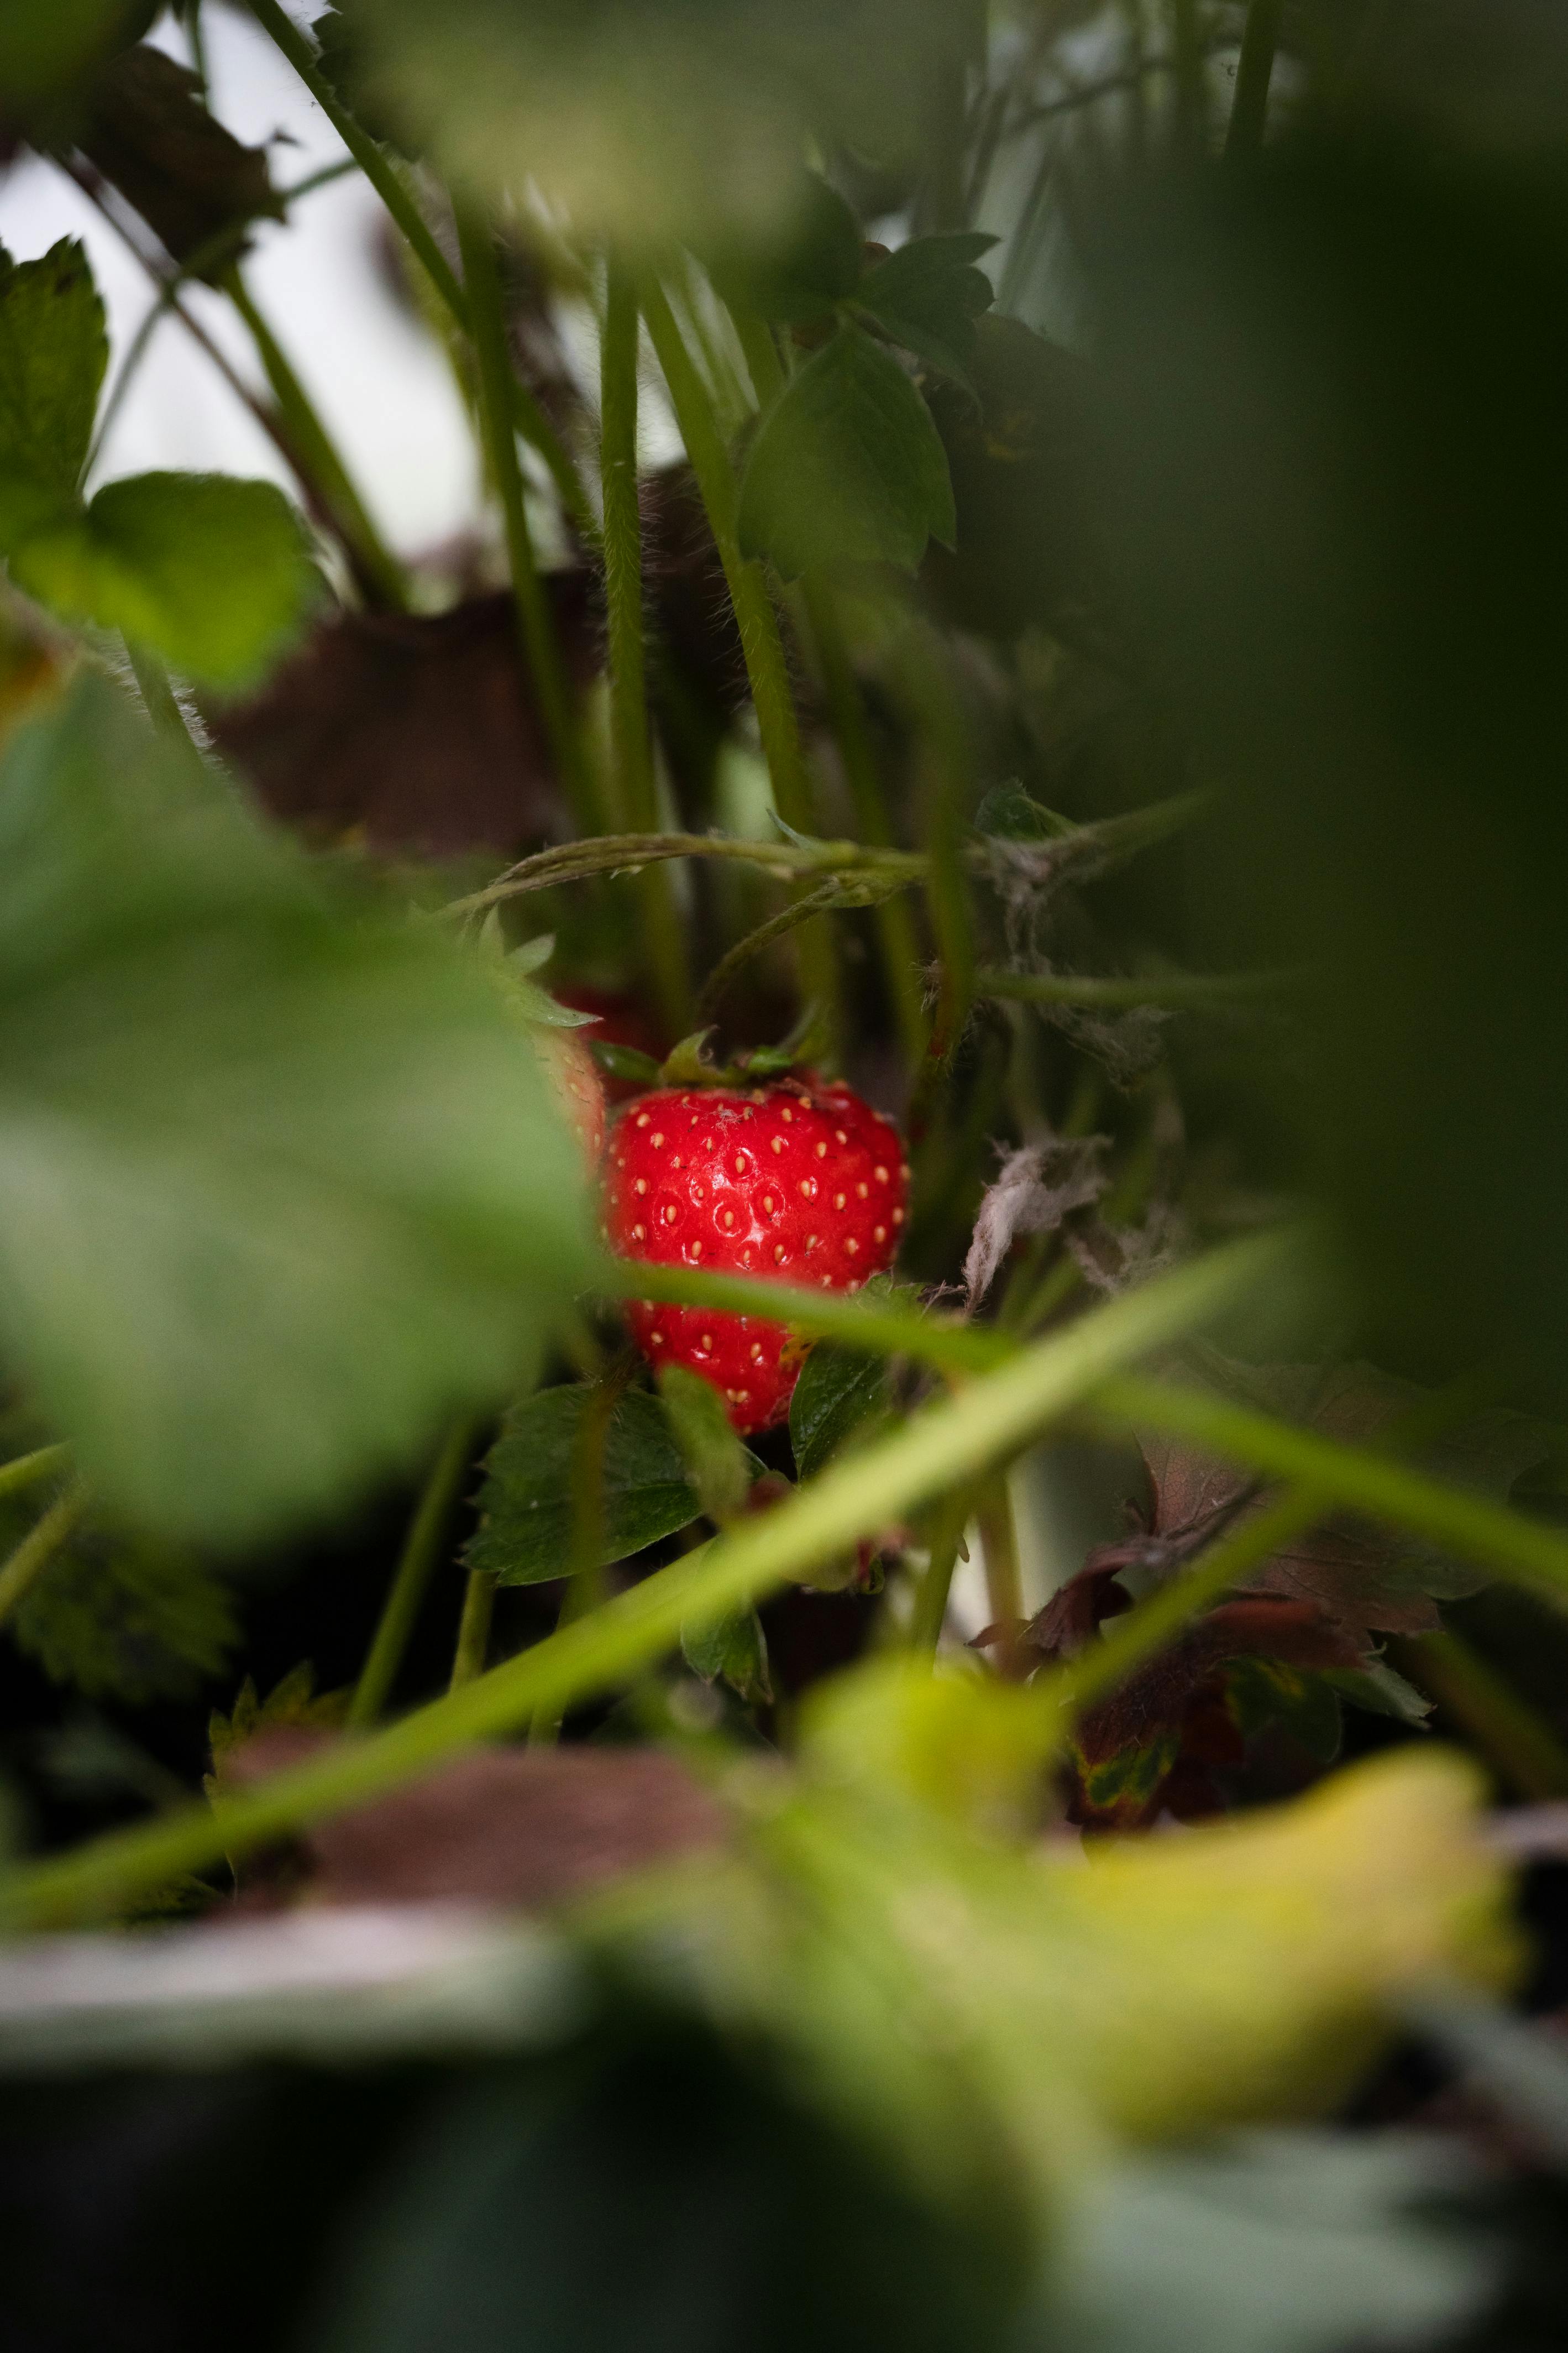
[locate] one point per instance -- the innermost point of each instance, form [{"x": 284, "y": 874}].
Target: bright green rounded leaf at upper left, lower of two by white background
[{"x": 213, "y": 573}]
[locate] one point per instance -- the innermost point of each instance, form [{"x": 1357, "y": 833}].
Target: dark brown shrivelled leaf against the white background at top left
[{"x": 149, "y": 133}]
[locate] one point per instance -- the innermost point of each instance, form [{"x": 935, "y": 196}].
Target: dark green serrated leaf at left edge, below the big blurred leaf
[{"x": 128, "y": 1620}]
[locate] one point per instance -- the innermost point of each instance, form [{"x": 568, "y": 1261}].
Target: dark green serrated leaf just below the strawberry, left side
[{"x": 525, "y": 1505}]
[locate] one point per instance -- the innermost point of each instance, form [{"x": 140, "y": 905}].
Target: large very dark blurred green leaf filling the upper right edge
[{"x": 1332, "y": 394}]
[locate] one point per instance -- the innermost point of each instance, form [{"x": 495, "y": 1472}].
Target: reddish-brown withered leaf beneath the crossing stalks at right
[{"x": 1365, "y": 1578}]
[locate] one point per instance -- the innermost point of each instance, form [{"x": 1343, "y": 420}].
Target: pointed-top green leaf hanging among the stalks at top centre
[{"x": 847, "y": 467}]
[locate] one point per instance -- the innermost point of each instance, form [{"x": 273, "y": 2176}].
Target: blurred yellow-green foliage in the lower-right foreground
[{"x": 996, "y": 2013}]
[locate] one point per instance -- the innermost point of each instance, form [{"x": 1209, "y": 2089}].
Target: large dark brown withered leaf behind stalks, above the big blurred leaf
[{"x": 413, "y": 733}]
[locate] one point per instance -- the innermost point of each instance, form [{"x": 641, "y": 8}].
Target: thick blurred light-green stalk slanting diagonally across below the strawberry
[{"x": 930, "y": 1455}]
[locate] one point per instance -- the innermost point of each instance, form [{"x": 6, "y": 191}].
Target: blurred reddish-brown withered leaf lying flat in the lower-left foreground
[{"x": 507, "y": 1827}]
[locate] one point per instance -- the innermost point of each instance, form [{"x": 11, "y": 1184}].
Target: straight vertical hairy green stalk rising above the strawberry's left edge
[{"x": 629, "y": 698}]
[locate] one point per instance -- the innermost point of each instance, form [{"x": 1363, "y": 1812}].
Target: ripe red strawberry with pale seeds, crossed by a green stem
[{"x": 800, "y": 1182}]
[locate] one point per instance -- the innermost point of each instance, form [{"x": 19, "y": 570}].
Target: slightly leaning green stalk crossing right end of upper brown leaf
[{"x": 535, "y": 618}]
